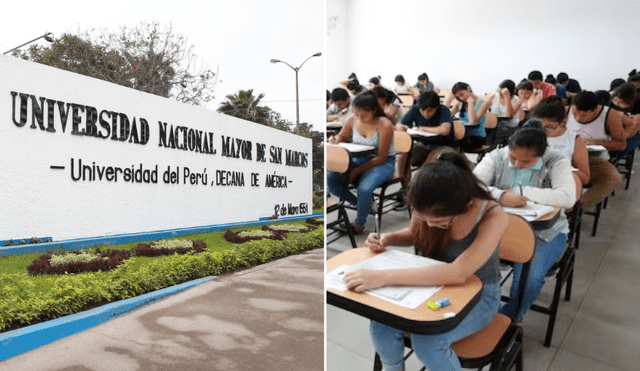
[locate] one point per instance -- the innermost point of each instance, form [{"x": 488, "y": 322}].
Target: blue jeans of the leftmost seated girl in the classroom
[{"x": 367, "y": 183}]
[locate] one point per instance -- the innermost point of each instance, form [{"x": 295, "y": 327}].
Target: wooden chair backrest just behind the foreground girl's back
[{"x": 518, "y": 242}]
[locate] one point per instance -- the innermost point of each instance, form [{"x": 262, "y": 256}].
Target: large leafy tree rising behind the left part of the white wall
[{"x": 145, "y": 57}]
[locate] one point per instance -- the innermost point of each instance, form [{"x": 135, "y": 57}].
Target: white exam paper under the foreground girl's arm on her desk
[{"x": 407, "y": 296}]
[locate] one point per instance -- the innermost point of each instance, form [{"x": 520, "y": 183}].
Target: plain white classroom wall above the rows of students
[{"x": 483, "y": 42}]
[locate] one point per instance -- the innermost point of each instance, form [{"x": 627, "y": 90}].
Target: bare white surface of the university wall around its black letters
[{"x": 36, "y": 200}]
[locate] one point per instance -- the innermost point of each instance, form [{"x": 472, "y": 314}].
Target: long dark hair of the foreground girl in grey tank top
[{"x": 444, "y": 187}]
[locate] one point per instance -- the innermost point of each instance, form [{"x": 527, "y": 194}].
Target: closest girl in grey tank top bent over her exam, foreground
[{"x": 456, "y": 220}]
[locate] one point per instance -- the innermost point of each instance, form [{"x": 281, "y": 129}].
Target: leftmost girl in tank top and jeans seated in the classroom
[{"x": 369, "y": 126}]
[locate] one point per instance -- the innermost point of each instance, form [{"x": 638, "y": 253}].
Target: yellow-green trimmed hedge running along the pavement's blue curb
[{"x": 71, "y": 293}]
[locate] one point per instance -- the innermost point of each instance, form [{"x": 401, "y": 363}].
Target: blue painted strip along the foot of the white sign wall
[{"x": 83, "y": 243}]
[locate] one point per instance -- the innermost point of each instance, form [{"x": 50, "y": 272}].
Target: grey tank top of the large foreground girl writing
[{"x": 490, "y": 271}]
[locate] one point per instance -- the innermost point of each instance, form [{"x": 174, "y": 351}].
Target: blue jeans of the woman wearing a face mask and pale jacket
[{"x": 544, "y": 256}]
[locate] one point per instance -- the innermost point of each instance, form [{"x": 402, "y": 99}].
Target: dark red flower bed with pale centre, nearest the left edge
[{"x": 77, "y": 262}]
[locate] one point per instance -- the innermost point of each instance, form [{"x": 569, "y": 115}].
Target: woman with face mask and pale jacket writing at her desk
[{"x": 528, "y": 170}]
